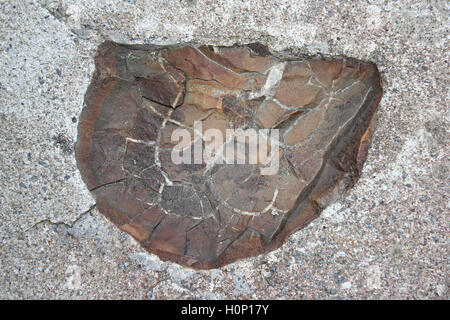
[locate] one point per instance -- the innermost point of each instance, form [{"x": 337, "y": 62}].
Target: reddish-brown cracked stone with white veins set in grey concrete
[{"x": 208, "y": 213}]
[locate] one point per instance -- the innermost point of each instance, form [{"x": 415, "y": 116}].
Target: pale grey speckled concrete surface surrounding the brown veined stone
[{"x": 387, "y": 239}]
